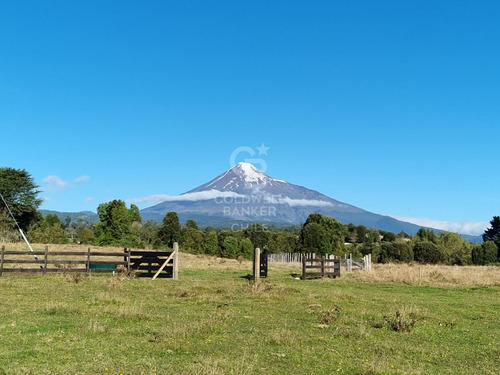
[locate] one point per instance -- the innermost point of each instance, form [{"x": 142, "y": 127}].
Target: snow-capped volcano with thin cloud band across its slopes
[{"x": 245, "y": 194}]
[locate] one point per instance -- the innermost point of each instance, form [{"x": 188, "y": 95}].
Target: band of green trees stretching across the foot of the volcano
[{"x": 120, "y": 225}]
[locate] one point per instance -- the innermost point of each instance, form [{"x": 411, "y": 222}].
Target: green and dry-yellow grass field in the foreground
[{"x": 213, "y": 321}]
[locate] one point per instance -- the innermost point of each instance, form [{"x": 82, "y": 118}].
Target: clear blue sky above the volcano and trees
[{"x": 392, "y": 106}]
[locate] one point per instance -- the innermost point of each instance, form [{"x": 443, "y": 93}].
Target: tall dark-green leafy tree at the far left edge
[{"x": 20, "y": 193}]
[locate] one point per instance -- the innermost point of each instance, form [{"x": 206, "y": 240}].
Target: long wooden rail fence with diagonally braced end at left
[{"x": 165, "y": 264}]
